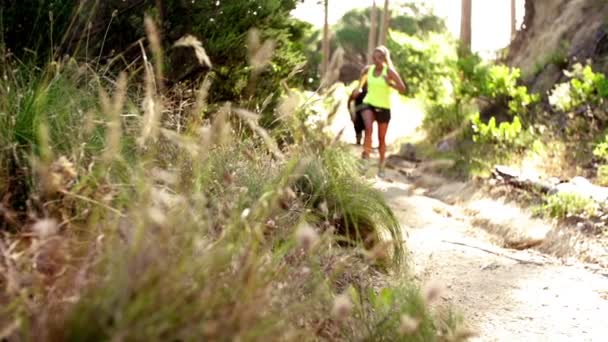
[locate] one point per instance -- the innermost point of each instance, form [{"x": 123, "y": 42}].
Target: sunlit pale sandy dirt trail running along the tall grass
[{"x": 536, "y": 299}]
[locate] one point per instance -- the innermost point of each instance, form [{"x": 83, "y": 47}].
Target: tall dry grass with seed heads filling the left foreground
[{"x": 118, "y": 226}]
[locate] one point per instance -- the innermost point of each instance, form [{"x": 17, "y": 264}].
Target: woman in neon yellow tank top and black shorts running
[{"x": 380, "y": 77}]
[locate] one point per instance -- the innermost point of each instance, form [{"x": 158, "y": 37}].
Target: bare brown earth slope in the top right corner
[{"x": 556, "y": 34}]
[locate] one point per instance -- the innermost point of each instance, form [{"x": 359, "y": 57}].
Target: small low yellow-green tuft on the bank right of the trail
[{"x": 562, "y": 205}]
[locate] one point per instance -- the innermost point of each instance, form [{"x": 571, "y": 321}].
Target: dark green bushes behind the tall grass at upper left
[{"x": 107, "y": 33}]
